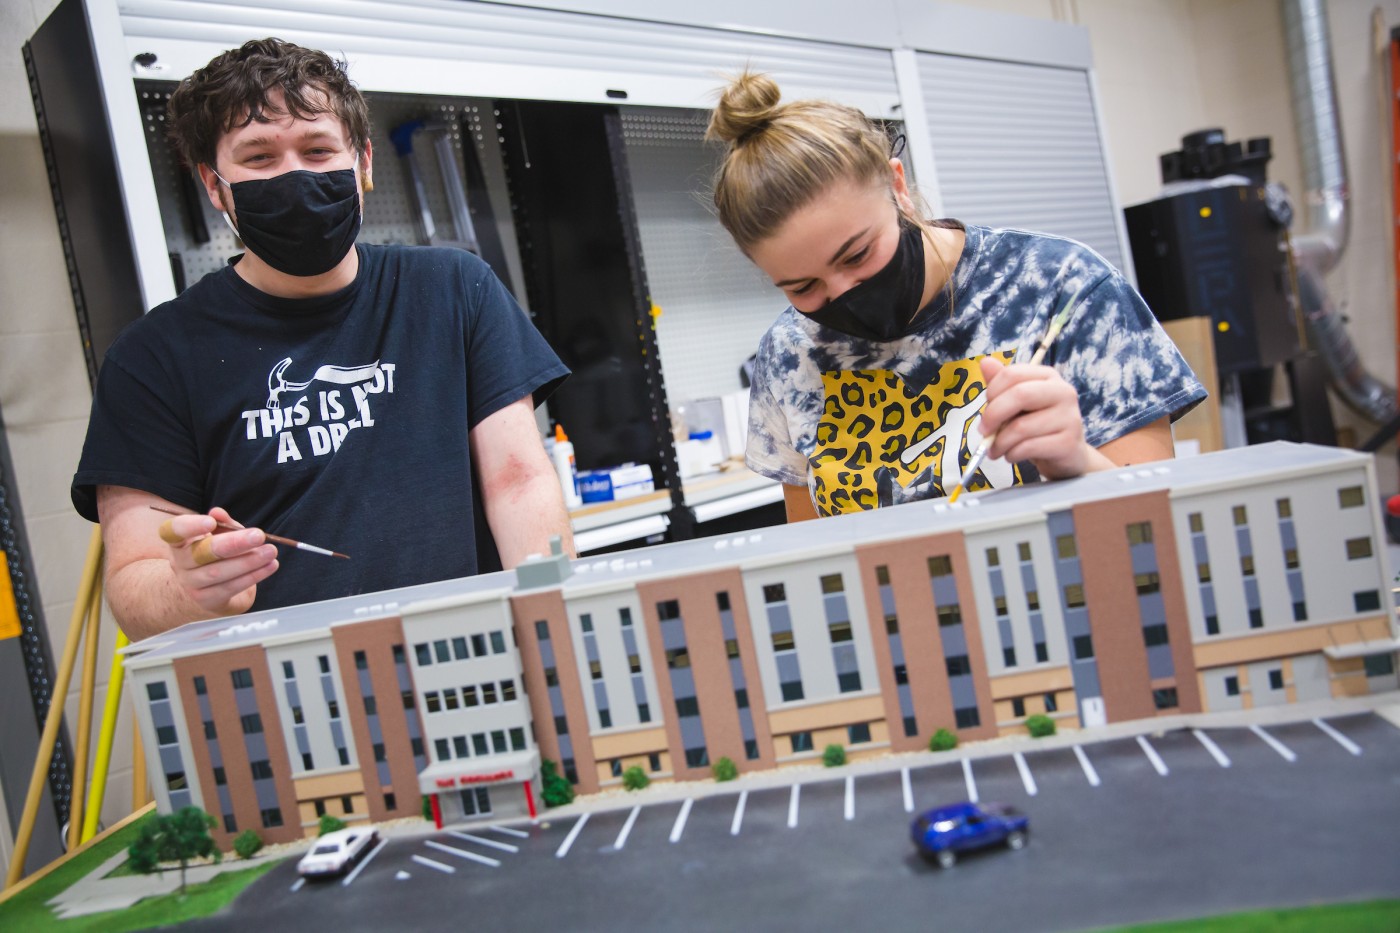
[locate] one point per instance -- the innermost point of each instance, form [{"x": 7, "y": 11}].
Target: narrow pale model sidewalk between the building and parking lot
[{"x": 97, "y": 893}]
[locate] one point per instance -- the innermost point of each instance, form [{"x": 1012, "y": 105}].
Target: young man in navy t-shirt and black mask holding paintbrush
[{"x": 339, "y": 394}]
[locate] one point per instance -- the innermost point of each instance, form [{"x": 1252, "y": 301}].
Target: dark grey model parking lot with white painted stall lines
[{"x": 1167, "y": 827}]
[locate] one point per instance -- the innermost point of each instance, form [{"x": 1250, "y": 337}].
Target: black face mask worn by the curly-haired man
[{"x": 300, "y": 223}]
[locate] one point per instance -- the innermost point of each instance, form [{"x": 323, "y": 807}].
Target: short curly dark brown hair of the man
[{"x": 233, "y": 92}]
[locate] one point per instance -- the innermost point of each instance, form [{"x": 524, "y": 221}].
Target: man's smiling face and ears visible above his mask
[{"x": 285, "y": 145}]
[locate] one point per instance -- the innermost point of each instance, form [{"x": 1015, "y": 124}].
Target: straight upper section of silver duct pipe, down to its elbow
[{"x": 1319, "y": 134}]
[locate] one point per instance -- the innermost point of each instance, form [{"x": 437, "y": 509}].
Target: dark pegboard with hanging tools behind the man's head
[{"x": 390, "y": 216}]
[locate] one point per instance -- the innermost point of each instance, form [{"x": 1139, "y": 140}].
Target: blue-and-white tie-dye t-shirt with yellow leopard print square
[{"x": 869, "y": 424}]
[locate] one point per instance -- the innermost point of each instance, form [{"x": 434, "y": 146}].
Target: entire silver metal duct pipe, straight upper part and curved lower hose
[{"x": 1318, "y": 250}]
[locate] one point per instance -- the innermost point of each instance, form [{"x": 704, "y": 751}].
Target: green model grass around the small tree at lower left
[{"x": 30, "y": 911}]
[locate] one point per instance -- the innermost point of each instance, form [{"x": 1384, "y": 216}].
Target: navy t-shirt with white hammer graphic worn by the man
[{"x": 339, "y": 421}]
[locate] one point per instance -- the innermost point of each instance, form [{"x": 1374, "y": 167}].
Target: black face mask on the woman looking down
[{"x": 884, "y": 306}]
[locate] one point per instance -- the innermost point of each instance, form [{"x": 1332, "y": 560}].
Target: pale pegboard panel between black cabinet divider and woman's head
[{"x": 716, "y": 305}]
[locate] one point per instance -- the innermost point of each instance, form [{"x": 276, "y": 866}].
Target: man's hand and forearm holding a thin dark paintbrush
[{"x": 155, "y": 575}]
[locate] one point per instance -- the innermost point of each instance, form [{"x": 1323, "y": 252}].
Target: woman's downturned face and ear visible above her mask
[{"x": 843, "y": 237}]
